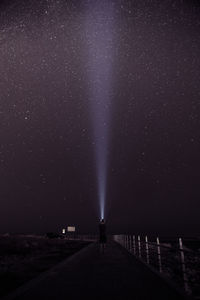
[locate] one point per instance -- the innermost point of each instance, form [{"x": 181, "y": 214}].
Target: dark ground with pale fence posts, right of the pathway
[{"x": 176, "y": 262}]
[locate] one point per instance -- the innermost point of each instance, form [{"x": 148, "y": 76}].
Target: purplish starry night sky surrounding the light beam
[{"x": 47, "y": 146}]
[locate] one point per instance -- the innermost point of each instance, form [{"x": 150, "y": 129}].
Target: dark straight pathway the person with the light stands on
[{"x": 90, "y": 274}]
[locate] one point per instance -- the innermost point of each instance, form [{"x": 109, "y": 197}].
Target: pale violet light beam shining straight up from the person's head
[{"x": 99, "y": 36}]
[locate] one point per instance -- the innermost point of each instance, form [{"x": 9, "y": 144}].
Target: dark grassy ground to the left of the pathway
[{"x": 23, "y": 257}]
